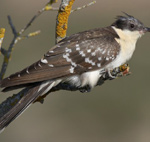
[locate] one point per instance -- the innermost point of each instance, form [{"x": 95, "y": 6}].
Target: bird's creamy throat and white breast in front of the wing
[{"x": 127, "y": 42}]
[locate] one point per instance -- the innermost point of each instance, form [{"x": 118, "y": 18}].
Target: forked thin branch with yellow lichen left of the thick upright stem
[{"x": 18, "y": 36}]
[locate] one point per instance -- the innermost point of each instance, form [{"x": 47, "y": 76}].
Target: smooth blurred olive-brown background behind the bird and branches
[{"x": 117, "y": 111}]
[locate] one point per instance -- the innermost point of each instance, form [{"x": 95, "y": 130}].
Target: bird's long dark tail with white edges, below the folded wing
[{"x": 31, "y": 94}]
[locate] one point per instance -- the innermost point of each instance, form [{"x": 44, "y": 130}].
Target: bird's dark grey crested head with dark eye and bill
[{"x": 130, "y": 26}]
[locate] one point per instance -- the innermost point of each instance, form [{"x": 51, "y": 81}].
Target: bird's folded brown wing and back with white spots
[{"x": 82, "y": 52}]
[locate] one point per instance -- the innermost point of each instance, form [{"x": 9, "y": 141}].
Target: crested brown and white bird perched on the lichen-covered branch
[{"x": 78, "y": 60}]
